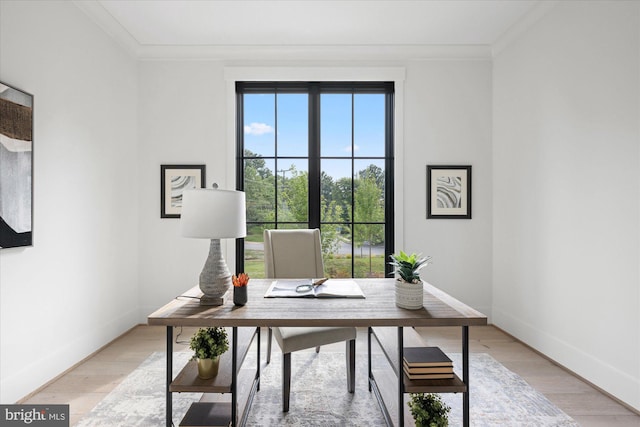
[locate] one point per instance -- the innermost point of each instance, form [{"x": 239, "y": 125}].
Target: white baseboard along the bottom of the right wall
[{"x": 519, "y": 331}]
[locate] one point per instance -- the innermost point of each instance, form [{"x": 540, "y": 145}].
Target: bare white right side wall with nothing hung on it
[{"x": 566, "y": 191}]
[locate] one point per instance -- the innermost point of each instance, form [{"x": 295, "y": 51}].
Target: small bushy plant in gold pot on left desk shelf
[{"x": 208, "y": 344}]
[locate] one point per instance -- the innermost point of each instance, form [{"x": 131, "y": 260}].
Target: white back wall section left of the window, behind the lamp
[{"x": 182, "y": 120}]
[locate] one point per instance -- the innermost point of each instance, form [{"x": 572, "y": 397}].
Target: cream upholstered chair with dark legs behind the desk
[{"x": 297, "y": 254}]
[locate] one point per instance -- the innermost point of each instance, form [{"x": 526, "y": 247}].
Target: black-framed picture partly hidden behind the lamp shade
[{"x": 174, "y": 179}]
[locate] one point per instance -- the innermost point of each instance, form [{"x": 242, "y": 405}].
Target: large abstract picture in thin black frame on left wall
[{"x": 16, "y": 172}]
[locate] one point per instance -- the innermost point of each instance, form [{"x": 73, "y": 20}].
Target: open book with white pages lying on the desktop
[{"x": 332, "y": 288}]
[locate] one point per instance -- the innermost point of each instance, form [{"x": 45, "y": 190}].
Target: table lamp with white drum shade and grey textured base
[{"x": 213, "y": 214}]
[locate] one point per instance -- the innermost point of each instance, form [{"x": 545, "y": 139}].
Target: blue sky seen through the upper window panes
[{"x": 336, "y": 132}]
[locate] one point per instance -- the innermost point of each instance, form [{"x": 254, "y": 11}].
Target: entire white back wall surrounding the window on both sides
[{"x": 184, "y": 111}]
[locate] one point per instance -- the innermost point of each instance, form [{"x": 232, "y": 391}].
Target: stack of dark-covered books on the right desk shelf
[{"x": 427, "y": 363}]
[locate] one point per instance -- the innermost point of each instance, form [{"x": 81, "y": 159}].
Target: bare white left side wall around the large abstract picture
[{"x": 76, "y": 288}]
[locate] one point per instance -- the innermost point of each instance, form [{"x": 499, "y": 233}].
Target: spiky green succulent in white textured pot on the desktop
[{"x": 409, "y": 289}]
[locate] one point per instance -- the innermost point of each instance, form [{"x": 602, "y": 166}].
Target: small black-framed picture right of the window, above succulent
[{"x": 449, "y": 192}]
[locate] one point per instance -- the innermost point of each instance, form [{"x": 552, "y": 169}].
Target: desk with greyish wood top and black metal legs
[{"x": 377, "y": 309}]
